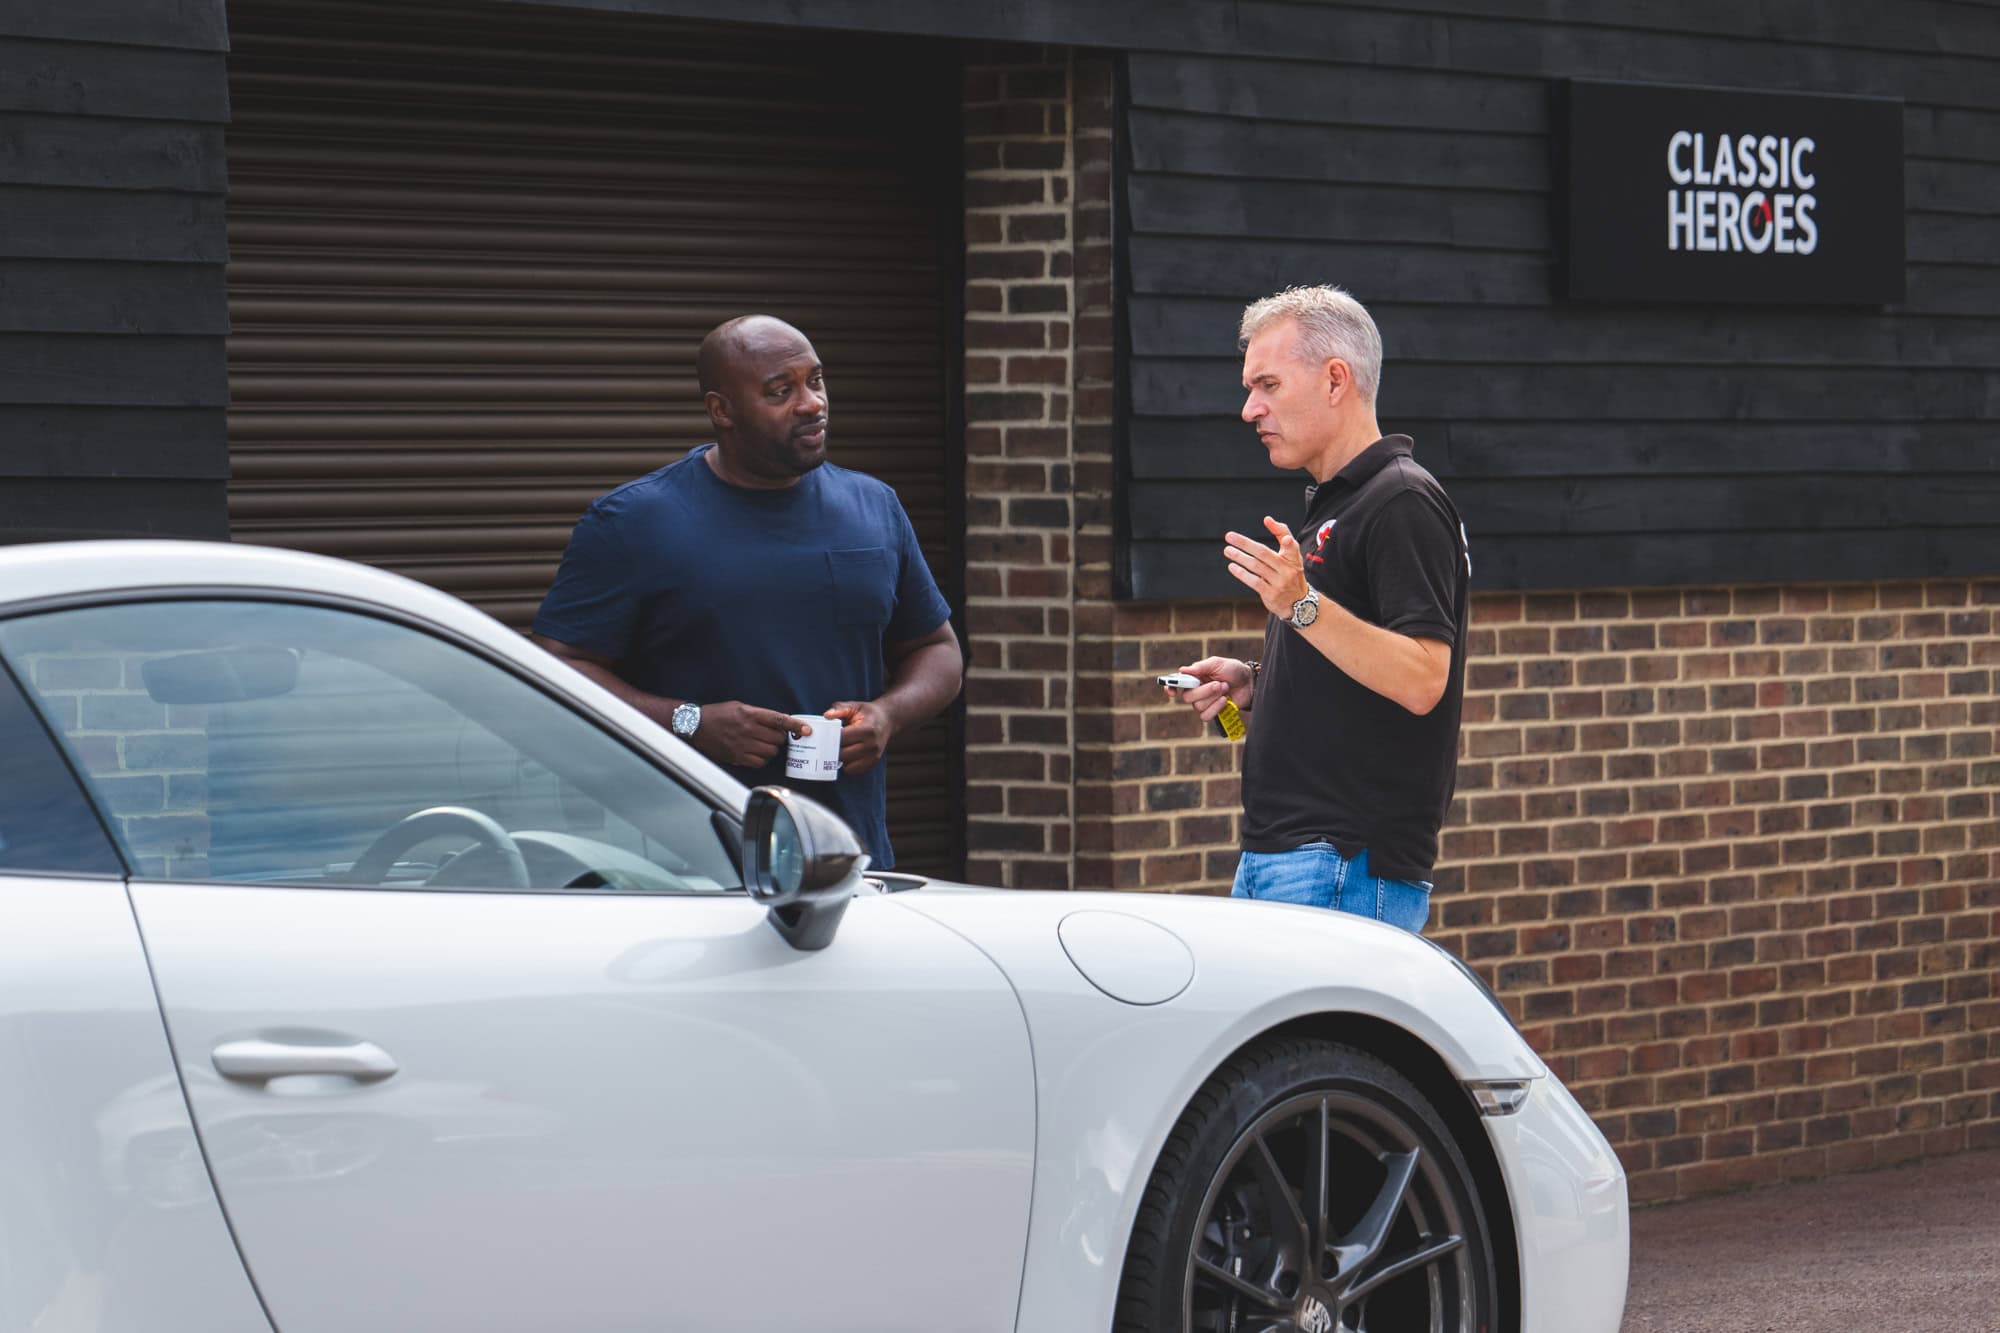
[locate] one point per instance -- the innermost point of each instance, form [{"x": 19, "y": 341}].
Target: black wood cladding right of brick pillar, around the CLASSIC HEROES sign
[{"x": 1407, "y": 157}]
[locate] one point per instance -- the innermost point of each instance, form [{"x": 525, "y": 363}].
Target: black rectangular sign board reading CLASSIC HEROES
[{"x": 1729, "y": 197}]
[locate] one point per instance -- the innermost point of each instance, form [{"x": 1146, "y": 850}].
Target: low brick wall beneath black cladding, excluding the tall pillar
[{"x": 1729, "y": 856}]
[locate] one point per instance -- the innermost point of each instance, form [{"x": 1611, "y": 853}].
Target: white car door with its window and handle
[{"x": 531, "y": 1062}]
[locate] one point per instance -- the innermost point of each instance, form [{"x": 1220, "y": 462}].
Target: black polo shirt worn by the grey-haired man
[{"x": 1327, "y": 758}]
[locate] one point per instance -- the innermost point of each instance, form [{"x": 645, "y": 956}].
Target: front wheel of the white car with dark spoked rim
[{"x": 1307, "y": 1190}]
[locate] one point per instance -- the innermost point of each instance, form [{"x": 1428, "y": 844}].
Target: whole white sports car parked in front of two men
[{"x": 365, "y": 968}]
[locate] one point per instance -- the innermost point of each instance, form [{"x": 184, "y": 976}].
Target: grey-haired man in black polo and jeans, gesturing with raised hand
[{"x": 1353, "y": 746}]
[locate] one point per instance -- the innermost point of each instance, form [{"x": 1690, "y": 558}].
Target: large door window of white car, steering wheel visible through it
[{"x": 257, "y": 742}]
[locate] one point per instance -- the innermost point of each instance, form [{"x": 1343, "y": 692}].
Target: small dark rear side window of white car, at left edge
[{"x": 47, "y": 826}]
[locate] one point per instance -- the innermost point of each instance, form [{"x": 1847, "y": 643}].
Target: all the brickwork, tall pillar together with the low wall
[{"x": 1729, "y": 856}]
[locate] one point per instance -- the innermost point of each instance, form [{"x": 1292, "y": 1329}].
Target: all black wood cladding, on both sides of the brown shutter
[{"x": 1397, "y": 151}]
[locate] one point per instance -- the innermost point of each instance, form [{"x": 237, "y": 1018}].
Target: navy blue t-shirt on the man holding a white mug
[{"x": 781, "y": 599}]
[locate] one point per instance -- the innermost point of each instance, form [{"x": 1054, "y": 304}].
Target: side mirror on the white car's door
[{"x": 803, "y": 864}]
